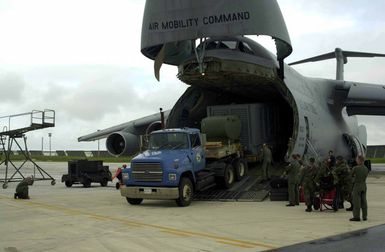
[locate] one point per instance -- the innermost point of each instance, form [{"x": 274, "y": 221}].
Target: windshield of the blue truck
[{"x": 168, "y": 141}]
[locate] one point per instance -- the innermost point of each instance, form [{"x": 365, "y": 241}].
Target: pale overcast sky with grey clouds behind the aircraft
[{"x": 82, "y": 58}]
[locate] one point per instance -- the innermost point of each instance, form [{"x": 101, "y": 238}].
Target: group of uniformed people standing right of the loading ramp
[{"x": 331, "y": 173}]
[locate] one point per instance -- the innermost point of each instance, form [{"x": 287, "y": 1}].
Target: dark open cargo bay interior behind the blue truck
[{"x": 266, "y": 118}]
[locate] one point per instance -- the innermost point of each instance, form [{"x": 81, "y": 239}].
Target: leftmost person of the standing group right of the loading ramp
[{"x": 292, "y": 171}]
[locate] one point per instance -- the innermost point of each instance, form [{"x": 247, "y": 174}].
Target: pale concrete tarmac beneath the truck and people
[{"x": 57, "y": 218}]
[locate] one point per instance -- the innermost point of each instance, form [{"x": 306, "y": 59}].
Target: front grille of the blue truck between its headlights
[{"x": 147, "y": 172}]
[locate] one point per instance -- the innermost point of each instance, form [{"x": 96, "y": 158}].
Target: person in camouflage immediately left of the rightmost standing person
[{"x": 343, "y": 181}]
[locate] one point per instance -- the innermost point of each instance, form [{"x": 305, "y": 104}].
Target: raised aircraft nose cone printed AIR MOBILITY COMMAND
[{"x": 174, "y": 25}]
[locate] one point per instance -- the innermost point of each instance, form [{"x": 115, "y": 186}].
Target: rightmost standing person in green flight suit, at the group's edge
[{"x": 359, "y": 173}]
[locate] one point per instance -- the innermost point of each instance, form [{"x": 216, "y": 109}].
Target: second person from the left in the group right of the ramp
[{"x": 307, "y": 180}]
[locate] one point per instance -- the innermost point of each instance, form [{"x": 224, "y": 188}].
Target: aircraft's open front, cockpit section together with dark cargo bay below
[{"x": 236, "y": 75}]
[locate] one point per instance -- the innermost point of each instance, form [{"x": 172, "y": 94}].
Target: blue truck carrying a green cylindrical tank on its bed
[{"x": 180, "y": 161}]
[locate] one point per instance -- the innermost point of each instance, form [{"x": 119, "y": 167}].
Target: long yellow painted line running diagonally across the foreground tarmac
[{"x": 165, "y": 229}]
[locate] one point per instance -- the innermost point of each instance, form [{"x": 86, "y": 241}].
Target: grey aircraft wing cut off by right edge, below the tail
[{"x": 362, "y": 98}]
